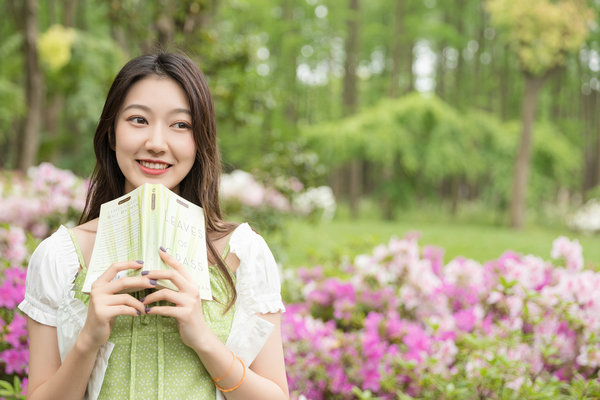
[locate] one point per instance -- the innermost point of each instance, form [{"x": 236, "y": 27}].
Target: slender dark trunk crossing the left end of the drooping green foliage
[{"x": 350, "y": 99}]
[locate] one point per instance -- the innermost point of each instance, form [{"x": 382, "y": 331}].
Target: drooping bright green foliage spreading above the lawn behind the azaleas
[{"x": 428, "y": 142}]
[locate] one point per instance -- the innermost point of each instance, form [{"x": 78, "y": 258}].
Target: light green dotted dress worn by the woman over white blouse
[{"x": 149, "y": 360}]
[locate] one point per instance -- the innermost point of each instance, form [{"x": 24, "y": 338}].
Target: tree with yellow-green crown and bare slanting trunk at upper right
[{"x": 541, "y": 33}]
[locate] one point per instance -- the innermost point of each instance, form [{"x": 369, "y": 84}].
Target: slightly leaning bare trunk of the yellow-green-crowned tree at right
[{"x": 533, "y": 85}]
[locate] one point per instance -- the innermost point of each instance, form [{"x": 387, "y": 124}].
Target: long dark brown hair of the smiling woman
[{"x": 201, "y": 185}]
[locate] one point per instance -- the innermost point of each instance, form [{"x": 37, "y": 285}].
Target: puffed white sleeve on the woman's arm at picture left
[{"x": 51, "y": 269}]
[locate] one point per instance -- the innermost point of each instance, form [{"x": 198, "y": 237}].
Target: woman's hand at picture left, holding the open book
[{"x": 106, "y": 302}]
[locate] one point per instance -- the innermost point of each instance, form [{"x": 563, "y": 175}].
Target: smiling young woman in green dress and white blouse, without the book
[{"x": 157, "y": 126}]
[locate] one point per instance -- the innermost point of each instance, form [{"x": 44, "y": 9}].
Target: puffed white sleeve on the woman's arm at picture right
[{"x": 258, "y": 283}]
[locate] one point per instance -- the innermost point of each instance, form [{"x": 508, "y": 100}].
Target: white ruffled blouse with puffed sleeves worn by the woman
[{"x": 49, "y": 297}]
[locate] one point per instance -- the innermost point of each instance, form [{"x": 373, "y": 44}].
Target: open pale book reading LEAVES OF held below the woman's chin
[{"x": 134, "y": 226}]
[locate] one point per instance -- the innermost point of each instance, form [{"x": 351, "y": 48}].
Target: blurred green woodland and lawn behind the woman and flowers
[{"x": 474, "y": 122}]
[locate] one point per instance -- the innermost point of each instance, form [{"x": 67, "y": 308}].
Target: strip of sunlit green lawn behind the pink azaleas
[{"x": 308, "y": 244}]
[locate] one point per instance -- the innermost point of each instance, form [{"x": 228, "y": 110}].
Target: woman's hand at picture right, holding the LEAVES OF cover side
[{"x": 187, "y": 309}]
